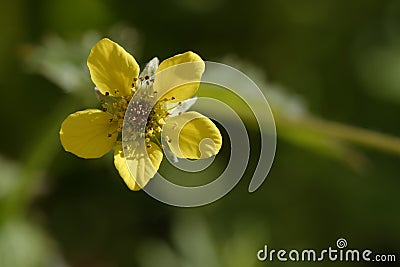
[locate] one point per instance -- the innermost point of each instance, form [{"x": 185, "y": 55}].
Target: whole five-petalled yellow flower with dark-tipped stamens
[{"x": 92, "y": 133}]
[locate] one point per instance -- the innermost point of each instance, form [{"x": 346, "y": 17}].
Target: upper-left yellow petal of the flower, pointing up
[{"x": 112, "y": 68}]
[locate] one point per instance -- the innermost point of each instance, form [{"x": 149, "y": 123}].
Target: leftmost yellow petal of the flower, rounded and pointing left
[{"x": 85, "y": 133}]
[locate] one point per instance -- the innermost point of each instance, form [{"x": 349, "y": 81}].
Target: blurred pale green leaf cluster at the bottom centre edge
[{"x": 194, "y": 245}]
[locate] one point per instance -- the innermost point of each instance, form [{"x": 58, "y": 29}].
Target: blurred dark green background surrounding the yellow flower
[{"x": 330, "y": 69}]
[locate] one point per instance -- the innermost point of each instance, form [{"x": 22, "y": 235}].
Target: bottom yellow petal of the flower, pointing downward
[{"x": 137, "y": 169}]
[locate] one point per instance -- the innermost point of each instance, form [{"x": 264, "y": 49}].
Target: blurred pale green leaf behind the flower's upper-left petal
[{"x": 63, "y": 62}]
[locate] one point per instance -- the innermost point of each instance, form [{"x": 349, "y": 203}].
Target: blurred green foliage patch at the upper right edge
[{"x": 378, "y": 59}]
